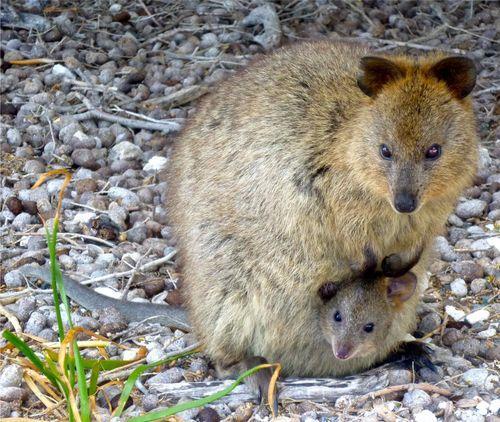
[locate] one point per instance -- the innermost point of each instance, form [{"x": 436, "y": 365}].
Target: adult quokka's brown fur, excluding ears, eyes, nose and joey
[{"x": 277, "y": 184}]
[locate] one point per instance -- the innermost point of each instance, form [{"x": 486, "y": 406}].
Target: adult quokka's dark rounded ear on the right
[{"x": 459, "y": 74}]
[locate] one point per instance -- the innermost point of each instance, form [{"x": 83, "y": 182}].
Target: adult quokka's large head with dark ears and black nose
[{"x": 418, "y": 141}]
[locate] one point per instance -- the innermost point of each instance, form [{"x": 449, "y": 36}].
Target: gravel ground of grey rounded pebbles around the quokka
[{"x": 117, "y": 81}]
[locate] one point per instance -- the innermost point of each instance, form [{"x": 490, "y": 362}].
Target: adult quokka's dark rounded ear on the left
[{"x": 377, "y": 72}]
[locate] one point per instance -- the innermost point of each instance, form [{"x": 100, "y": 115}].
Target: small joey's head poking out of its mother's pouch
[{"x": 357, "y": 315}]
